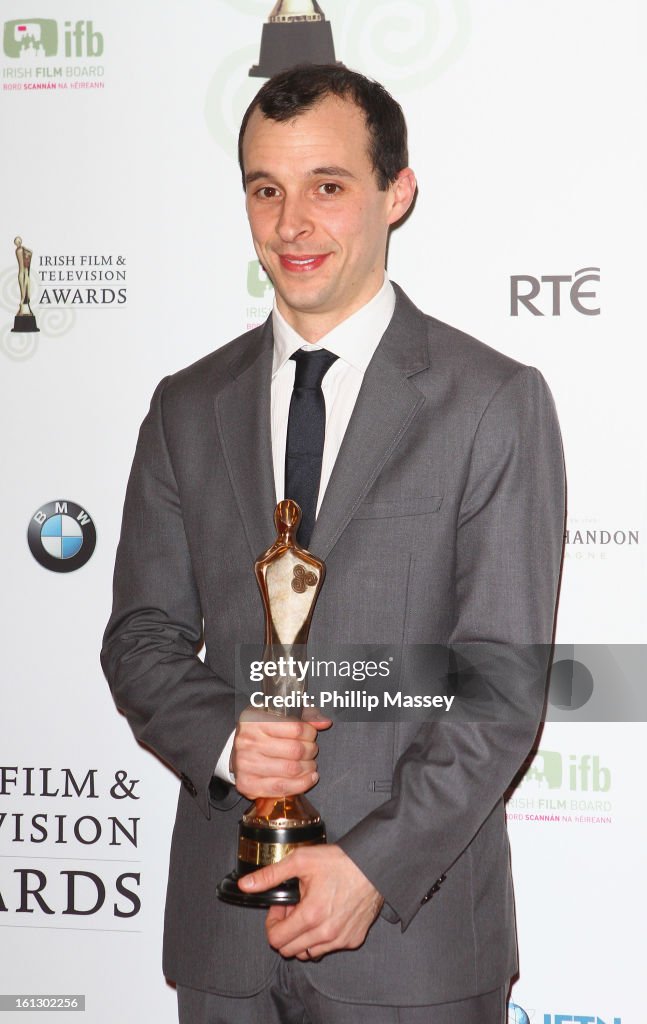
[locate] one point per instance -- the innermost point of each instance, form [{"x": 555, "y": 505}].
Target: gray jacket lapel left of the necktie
[{"x": 244, "y": 422}]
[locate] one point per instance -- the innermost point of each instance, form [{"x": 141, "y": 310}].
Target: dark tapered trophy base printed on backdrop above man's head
[{"x": 285, "y": 46}]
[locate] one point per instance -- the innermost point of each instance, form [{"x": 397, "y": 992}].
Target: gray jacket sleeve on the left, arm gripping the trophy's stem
[{"x": 174, "y": 702}]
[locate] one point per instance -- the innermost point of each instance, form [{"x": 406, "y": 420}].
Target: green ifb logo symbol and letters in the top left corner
[{"x": 38, "y": 37}]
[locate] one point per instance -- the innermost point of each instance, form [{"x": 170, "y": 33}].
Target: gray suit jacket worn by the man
[{"x": 443, "y": 524}]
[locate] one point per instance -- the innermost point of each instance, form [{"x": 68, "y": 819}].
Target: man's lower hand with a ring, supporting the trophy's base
[{"x": 338, "y": 904}]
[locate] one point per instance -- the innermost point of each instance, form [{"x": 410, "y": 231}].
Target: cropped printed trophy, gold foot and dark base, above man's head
[{"x": 296, "y": 32}]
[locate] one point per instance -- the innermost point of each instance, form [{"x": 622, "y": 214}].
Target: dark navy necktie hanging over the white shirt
[{"x": 307, "y": 431}]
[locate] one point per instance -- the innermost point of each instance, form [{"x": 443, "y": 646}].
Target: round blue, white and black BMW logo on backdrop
[{"x": 62, "y": 537}]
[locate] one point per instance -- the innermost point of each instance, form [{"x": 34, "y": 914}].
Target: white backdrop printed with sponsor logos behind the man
[{"x": 527, "y": 133}]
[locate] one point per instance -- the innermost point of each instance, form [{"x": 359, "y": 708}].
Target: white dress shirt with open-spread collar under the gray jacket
[{"x": 355, "y": 343}]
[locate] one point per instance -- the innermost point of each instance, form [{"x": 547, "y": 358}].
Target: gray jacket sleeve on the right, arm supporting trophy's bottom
[{"x": 509, "y": 545}]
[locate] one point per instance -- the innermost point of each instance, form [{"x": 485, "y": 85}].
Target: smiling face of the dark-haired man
[{"x": 319, "y": 221}]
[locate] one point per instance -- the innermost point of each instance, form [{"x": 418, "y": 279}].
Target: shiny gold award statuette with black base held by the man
[{"x": 290, "y": 580}]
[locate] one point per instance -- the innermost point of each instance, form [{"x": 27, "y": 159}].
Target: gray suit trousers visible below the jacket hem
[{"x": 292, "y": 999}]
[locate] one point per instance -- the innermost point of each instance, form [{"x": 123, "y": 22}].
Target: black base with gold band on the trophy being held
[{"x": 260, "y": 846}]
